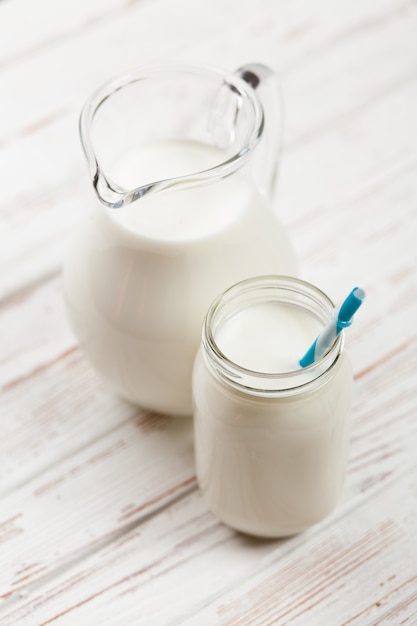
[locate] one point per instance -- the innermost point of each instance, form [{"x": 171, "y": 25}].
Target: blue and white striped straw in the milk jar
[{"x": 341, "y": 318}]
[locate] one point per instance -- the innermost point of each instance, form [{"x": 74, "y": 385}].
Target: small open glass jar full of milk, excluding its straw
[{"x": 270, "y": 437}]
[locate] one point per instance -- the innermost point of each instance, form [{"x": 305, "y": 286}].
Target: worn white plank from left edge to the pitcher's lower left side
[{"x": 51, "y": 413}]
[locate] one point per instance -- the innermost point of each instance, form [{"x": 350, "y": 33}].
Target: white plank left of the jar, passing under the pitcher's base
[{"x": 92, "y": 496}]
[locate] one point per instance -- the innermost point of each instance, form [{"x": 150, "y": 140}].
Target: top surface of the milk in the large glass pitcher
[{"x": 197, "y": 214}]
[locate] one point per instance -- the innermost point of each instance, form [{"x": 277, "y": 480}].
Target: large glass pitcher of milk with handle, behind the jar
[{"x": 183, "y": 161}]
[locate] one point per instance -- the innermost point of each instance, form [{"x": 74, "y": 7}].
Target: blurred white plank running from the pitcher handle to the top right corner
[{"x": 370, "y": 59}]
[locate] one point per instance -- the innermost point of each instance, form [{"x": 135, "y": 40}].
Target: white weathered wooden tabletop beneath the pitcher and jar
[{"x": 101, "y": 519}]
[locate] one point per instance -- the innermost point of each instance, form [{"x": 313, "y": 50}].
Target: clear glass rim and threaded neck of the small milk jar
[{"x": 269, "y": 289}]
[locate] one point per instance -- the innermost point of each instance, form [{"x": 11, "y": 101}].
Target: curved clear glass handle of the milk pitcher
[{"x": 266, "y": 160}]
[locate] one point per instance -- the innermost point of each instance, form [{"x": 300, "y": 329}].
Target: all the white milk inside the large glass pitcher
[{"x": 139, "y": 280}]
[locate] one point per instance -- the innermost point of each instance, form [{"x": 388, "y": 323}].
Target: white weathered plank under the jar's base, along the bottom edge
[{"x": 359, "y": 562}]
